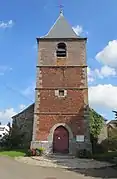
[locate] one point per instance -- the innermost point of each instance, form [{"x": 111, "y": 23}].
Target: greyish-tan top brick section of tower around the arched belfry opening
[{"x": 76, "y": 53}]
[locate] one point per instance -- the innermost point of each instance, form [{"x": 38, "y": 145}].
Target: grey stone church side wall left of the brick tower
[{"x": 23, "y": 122}]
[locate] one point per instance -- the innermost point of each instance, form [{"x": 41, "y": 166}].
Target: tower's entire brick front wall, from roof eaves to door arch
[{"x": 68, "y": 73}]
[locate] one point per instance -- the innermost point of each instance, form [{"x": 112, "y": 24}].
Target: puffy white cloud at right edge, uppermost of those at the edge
[{"x": 108, "y": 55}]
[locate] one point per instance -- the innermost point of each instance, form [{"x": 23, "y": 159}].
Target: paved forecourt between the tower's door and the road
[{"x": 66, "y": 162}]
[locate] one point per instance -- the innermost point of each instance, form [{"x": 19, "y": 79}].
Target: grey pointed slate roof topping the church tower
[{"x": 61, "y": 29}]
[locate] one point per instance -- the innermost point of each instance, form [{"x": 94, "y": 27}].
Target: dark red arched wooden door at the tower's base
[{"x": 61, "y": 140}]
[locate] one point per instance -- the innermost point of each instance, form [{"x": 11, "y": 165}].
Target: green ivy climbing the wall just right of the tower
[{"x": 96, "y": 123}]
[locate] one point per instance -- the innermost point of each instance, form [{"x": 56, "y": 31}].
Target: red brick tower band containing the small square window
[{"x": 72, "y": 103}]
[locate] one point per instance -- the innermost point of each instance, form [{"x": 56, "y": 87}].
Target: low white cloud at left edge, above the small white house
[{"x": 5, "y": 115}]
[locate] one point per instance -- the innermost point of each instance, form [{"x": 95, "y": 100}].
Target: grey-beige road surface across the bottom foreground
[{"x": 11, "y": 169}]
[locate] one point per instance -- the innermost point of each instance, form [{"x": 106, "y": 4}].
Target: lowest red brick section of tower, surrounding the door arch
[{"x": 76, "y": 123}]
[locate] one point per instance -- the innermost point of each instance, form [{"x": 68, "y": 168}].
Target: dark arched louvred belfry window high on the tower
[{"x": 61, "y": 50}]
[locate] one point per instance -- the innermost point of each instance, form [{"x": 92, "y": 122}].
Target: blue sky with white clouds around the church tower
[{"x": 22, "y": 21}]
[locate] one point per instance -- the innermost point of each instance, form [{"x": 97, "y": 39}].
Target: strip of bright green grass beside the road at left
[{"x": 13, "y": 153}]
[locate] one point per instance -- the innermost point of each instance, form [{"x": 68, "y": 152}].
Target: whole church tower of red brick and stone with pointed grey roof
[{"x": 61, "y": 117}]
